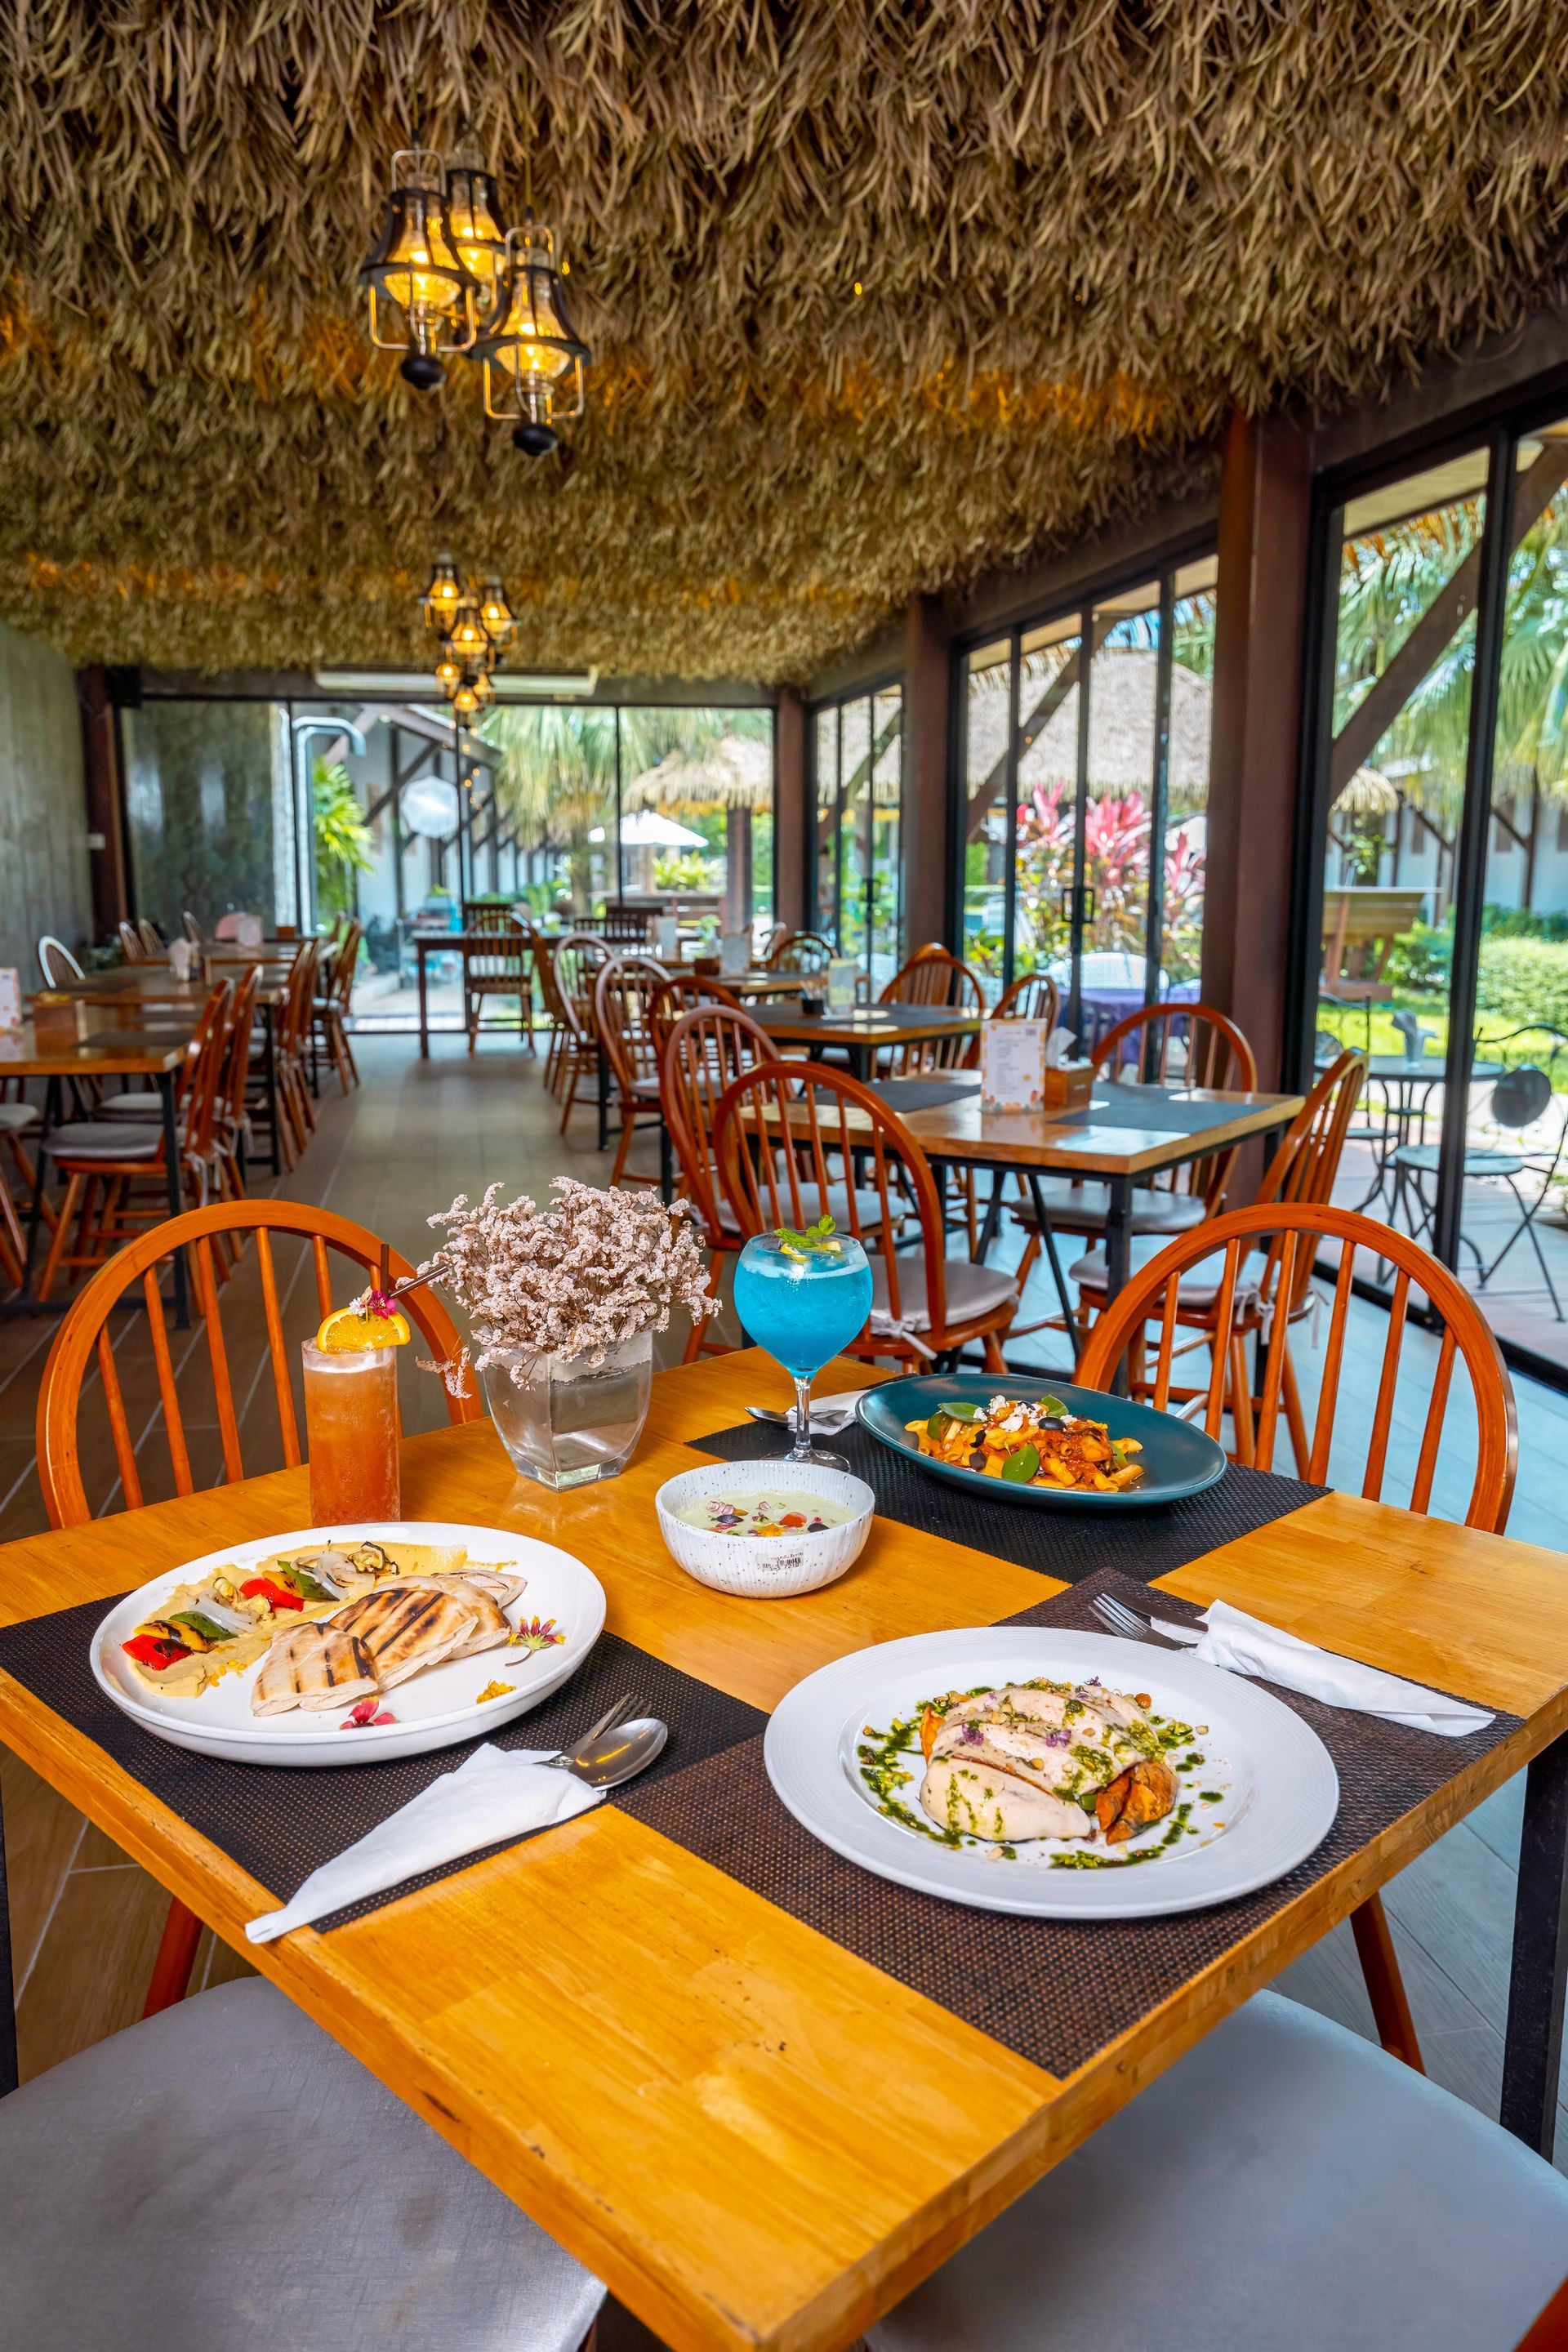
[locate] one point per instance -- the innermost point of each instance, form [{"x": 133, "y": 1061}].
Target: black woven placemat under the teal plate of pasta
[{"x": 1068, "y": 1544}]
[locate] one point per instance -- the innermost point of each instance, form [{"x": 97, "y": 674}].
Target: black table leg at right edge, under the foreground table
[{"x": 1534, "y": 2043}]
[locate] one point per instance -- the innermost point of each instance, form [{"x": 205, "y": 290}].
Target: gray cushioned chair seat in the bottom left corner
[{"x": 227, "y": 2179}]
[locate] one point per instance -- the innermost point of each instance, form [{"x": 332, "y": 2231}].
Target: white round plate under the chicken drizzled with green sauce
[{"x": 1261, "y": 1793}]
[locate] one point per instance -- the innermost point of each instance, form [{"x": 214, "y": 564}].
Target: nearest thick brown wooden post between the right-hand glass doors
[{"x": 1266, "y": 500}]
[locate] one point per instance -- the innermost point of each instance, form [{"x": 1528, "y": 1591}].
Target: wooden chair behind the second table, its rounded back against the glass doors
[{"x": 1177, "y": 1043}]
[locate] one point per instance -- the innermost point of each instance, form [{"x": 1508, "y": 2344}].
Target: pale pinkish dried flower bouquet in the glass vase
[{"x": 572, "y": 1281}]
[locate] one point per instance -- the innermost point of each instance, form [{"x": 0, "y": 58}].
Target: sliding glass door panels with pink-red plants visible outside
[{"x": 1085, "y": 775}]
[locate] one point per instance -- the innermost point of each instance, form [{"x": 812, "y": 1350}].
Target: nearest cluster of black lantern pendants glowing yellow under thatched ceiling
[{"x": 448, "y": 279}]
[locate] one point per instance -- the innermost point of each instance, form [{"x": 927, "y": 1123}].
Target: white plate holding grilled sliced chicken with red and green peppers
[{"x": 436, "y": 1709}]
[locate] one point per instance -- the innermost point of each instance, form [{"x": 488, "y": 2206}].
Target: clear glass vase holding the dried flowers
[{"x": 568, "y": 1419}]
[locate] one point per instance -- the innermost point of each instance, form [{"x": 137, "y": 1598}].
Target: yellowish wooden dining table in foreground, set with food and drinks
[{"x": 756, "y": 2132}]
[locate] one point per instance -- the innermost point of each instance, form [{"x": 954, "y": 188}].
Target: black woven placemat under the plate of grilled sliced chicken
[{"x": 286, "y": 1822}]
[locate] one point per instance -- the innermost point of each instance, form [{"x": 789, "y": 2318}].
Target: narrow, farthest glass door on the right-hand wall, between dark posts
[{"x": 857, "y": 756}]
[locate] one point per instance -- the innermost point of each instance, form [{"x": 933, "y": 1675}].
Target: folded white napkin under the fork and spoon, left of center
[{"x": 492, "y": 1796}]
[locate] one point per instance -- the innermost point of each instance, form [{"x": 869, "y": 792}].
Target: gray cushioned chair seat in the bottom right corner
[{"x": 1282, "y": 2186}]
